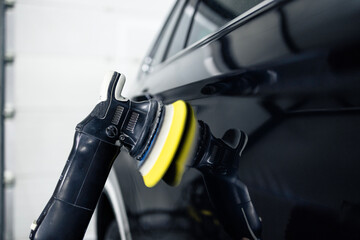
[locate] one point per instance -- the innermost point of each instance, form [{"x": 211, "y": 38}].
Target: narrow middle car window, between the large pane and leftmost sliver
[{"x": 179, "y": 37}]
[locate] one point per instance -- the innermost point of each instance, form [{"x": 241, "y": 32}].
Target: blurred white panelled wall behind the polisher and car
[{"x": 57, "y": 52}]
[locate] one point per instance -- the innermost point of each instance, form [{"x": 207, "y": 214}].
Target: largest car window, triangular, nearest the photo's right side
[{"x": 212, "y": 14}]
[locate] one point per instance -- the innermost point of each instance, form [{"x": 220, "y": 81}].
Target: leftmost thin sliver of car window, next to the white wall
[{"x": 165, "y": 36}]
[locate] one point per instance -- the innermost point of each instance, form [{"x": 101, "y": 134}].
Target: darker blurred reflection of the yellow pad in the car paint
[{"x": 184, "y": 152}]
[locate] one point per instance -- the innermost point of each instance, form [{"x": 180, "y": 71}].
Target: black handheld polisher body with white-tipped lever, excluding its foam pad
[{"x": 114, "y": 122}]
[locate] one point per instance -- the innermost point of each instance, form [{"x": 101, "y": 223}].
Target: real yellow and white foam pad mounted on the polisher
[{"x": 165, "y": 144}]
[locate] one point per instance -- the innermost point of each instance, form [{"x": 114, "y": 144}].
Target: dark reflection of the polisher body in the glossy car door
[{"x": 218, "y": 161}]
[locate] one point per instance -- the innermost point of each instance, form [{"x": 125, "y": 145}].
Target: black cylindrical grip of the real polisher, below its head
[{"x": 69, "y": 210}]
